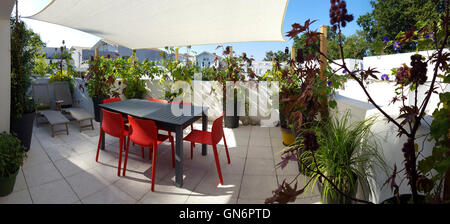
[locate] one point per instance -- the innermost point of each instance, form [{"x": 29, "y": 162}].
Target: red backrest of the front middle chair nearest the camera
[{"x": 142, "y": 132}]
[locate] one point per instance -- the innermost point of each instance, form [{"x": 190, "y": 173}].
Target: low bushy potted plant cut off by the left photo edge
[{"x": 12, "y": 155}]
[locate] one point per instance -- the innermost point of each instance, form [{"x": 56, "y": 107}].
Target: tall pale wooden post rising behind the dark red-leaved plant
[{"x": 323, "y": 67}]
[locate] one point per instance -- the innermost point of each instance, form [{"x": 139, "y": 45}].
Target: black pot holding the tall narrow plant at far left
[{"x": 23, "y": 128}]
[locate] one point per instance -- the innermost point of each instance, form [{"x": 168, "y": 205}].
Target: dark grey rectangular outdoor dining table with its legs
[{"x": 166, "y": 118}]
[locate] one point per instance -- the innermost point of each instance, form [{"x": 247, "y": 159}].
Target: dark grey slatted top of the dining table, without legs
[{"x": 156, "y": 111}]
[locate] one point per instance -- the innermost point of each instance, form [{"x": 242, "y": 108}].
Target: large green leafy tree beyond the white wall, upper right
[{"x": 390, "y": 17}]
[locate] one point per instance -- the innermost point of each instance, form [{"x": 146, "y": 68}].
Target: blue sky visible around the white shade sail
[{"x": 298, "y": 11}]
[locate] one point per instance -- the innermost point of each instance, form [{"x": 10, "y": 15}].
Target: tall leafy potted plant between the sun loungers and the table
[{"x": 100, "y": 82}]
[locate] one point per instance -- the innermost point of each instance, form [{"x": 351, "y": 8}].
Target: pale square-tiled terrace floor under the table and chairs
[{"x": 63, "y": 170}]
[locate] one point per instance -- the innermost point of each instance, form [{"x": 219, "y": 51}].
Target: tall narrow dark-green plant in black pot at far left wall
[{"x": 25, "y": 45}]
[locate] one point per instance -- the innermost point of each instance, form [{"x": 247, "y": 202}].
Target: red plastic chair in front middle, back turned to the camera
[{"x": 145, "y": 134}]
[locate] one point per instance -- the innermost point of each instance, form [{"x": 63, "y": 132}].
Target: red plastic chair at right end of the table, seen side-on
[{"x": 210, "y": 138}]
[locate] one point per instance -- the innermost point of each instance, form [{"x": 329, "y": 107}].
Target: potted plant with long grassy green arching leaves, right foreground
[{"x": 347, "y": 156}]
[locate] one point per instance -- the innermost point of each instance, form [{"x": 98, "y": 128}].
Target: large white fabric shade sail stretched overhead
[{"x": 140, "y": 24}]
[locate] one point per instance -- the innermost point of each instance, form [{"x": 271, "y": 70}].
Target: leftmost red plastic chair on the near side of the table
[{"x": 113, "y": 124}]
